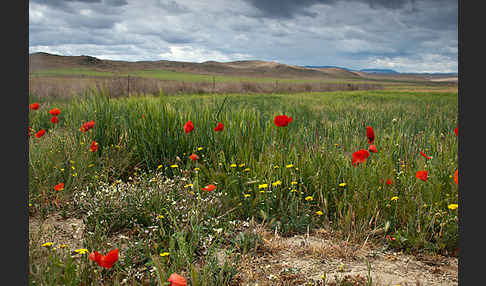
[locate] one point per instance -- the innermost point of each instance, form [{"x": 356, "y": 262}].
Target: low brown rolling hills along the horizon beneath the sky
[{"x": 41, "y": 61}]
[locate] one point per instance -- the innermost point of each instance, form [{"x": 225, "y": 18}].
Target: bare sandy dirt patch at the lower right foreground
[{"x": 301, "y": 260}]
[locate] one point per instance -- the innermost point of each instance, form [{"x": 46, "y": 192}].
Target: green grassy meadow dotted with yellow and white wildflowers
[{"x": 139, "y": 188}]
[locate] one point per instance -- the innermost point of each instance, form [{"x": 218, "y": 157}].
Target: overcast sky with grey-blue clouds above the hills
[{"x": 407, "y": 36}]
